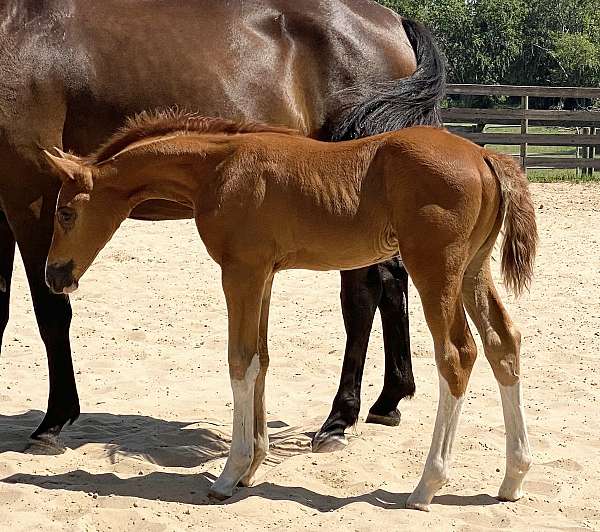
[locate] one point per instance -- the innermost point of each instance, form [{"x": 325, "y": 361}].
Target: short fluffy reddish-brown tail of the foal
[{"x": 520, "y": 229}]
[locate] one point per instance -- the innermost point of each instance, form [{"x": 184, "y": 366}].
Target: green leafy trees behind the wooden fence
[{"x": 521, "y": 42}]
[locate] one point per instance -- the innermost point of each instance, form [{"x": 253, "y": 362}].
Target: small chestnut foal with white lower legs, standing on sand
[{"x": 266, "y": 200}]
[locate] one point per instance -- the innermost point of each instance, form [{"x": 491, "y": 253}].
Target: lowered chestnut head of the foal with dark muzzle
[{"x": 88, "y": 213}]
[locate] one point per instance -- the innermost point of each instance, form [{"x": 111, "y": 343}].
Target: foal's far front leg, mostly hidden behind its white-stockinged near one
[{"x": 261, "y": 435}]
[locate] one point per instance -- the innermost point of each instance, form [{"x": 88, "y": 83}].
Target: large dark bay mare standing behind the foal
[{"x": 72, "y": 70}]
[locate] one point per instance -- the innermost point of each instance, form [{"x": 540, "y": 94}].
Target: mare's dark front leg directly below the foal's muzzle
[{"x": 33, "y": 232}]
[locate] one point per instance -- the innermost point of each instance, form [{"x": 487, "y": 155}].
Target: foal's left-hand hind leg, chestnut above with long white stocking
[{"x": 438, "y": 278}]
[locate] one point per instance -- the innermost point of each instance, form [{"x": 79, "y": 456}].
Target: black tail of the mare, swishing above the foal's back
[{"x": 383, "y": 106}]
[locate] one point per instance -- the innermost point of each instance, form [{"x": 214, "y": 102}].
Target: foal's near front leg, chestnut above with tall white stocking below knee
[{"x": 244, "y": 288}]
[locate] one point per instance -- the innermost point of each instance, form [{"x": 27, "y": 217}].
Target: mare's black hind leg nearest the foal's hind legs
[{"x": 398, "y": 381}]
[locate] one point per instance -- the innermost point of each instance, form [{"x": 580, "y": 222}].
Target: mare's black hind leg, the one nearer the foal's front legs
[{"x": 360, "y": 294}]
